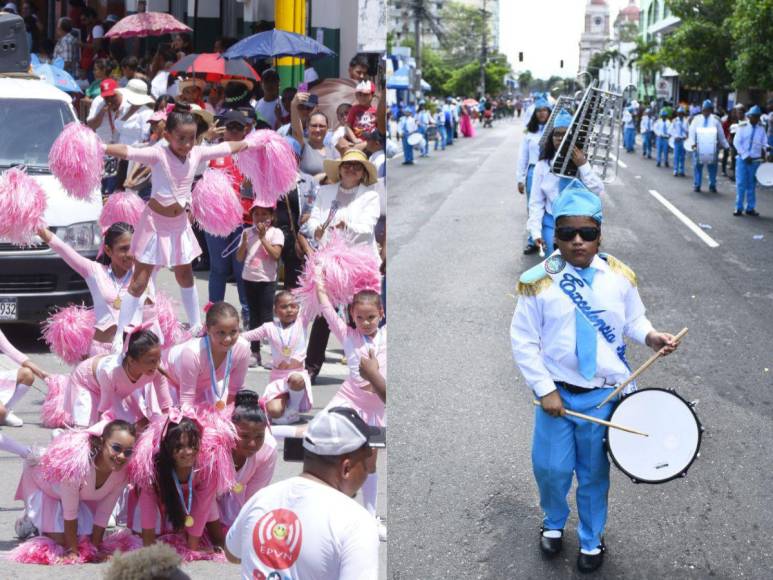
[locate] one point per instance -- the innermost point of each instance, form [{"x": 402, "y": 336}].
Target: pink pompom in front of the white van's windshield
[{"x": 76, "y": 160}]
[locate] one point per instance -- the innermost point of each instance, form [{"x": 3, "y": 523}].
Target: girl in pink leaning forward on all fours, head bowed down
[{"x": 105, "y": 387}]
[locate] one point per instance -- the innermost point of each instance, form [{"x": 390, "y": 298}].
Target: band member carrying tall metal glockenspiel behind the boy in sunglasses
[{"x": 546, "y": 187}]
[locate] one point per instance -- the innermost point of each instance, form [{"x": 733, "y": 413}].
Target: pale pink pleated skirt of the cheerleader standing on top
[{"x": 164, "y": 241}]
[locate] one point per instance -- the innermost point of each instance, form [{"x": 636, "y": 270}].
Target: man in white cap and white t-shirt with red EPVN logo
[{"x": 309, "y": 527}]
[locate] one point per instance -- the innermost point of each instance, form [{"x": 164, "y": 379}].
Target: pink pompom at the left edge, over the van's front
[{"x": 23, "y": 203}]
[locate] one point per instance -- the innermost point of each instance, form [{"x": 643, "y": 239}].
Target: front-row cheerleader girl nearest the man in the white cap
[{"x": 254, "y": 457}]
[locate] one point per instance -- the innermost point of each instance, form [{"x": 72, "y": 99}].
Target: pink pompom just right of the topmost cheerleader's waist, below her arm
[{"x": 215, "y": 205}]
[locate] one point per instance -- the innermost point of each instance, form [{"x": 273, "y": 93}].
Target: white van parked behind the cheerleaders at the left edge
[{"x": 34, "y": 280}]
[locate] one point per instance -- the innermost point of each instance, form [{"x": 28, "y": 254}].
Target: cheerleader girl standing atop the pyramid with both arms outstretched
[{"x": 164, "y": 236}]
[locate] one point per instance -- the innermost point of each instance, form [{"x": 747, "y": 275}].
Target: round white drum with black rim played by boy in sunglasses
[{"x": 673, "y": 442}]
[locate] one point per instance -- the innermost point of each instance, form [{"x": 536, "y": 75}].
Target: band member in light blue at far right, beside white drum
[{"x": 750, "y": 144}]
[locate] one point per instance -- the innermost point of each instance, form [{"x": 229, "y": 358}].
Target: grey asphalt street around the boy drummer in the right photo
[{"x": 464, "y": 501}]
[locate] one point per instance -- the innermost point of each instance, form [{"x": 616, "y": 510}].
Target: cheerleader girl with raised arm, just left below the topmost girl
[{"x": 108, "y": 283}]
